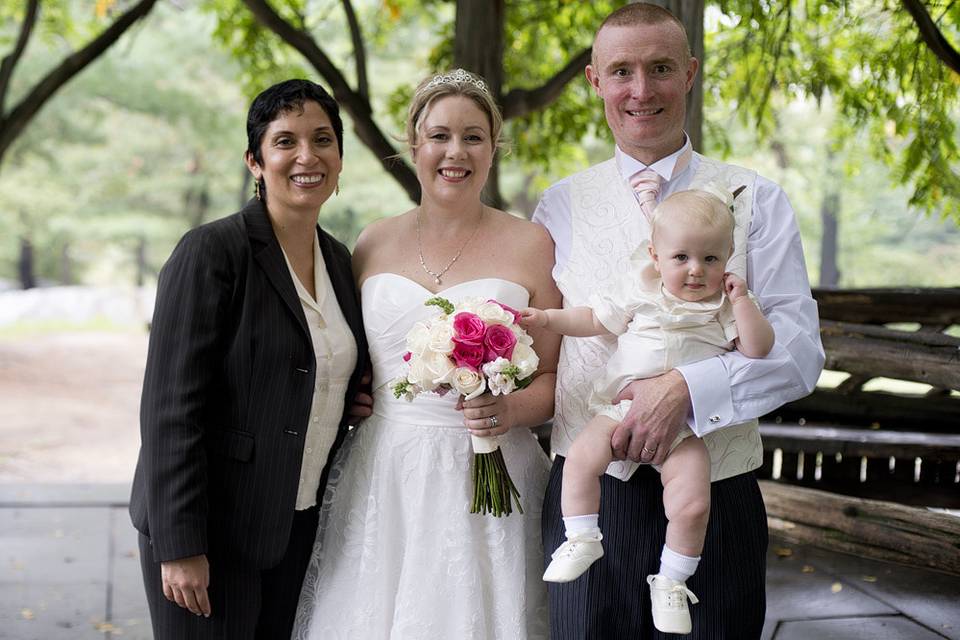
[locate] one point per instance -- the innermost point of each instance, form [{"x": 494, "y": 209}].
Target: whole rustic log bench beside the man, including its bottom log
[{"x": 837, "y": 462}]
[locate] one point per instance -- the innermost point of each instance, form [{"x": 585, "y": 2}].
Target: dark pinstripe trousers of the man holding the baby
[{"x": 612, "y": 600}]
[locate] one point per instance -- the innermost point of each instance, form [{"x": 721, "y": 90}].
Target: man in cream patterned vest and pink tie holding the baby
[{"x": 642, "y": 70}]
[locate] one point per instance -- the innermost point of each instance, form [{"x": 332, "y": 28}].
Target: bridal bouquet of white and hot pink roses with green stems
[{"x": 474, "y": 346}]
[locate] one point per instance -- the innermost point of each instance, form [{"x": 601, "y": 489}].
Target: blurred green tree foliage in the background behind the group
[{"x": 148, "y": 141}]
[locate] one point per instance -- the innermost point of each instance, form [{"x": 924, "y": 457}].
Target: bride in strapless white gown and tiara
[{"x": 399, "y": 555}]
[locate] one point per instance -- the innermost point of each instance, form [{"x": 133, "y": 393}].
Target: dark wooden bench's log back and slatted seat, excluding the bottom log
[{"x": 895, "y": 446}]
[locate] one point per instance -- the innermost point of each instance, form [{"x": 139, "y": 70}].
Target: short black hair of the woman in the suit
[{"x": 283, "y": 97}]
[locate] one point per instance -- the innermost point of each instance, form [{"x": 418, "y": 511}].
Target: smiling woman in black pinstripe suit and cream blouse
[{"x": 256, "y": 343}]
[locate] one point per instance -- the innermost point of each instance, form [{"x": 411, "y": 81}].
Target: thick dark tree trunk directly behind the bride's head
[{"x": 478, "y": 47}]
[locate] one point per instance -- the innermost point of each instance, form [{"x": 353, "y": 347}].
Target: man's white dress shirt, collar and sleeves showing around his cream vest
[{"x": 731, "y": 384}]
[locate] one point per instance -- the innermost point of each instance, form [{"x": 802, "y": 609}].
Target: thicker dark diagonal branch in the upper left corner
[{"x": 73, "y": 64}]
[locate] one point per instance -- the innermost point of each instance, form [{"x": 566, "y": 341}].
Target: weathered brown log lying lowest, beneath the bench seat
[{"x": 867, "y": 528}]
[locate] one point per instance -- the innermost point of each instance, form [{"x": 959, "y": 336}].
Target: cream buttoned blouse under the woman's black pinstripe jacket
[{"x": 336, "y": 354}]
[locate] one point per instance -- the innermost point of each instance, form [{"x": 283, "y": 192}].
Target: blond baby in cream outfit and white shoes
[{"x": 682, "y": 307}]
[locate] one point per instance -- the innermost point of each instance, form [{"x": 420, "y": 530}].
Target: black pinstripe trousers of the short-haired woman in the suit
[{"x": 246, "y": 603}]
